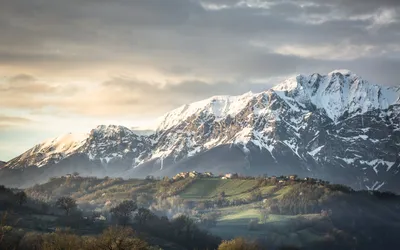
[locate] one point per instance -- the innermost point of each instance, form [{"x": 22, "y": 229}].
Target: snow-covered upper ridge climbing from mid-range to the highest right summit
[{"x": 338, "y": 93}]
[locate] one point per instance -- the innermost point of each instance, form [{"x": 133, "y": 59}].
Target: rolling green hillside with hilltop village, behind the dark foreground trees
[{"x": 306, "y": 213}]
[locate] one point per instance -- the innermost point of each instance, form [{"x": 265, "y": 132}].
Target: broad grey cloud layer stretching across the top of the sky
[{"x": 188, "y": 40}]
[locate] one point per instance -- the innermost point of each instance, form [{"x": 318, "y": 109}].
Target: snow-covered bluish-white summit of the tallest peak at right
[{"x": 337, "y": 93}]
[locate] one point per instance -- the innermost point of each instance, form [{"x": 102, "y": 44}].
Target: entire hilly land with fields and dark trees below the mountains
[{"x": 197, "y": 213}]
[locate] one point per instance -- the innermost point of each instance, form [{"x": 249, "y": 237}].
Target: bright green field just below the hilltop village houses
[{"x": 209, "y": 188}]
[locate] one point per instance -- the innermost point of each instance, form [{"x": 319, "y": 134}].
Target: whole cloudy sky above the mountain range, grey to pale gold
[{"x": 68, "y": 66}]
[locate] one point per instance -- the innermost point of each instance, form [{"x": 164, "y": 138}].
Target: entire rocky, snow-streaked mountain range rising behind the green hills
[{"x": 337, "y": 127}]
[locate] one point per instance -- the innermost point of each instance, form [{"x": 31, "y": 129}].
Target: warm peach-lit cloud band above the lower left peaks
[{"x": 111, "y": 99}]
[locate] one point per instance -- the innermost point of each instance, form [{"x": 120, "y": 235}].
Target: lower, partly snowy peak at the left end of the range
[{"x": 105, "y": 142}]
